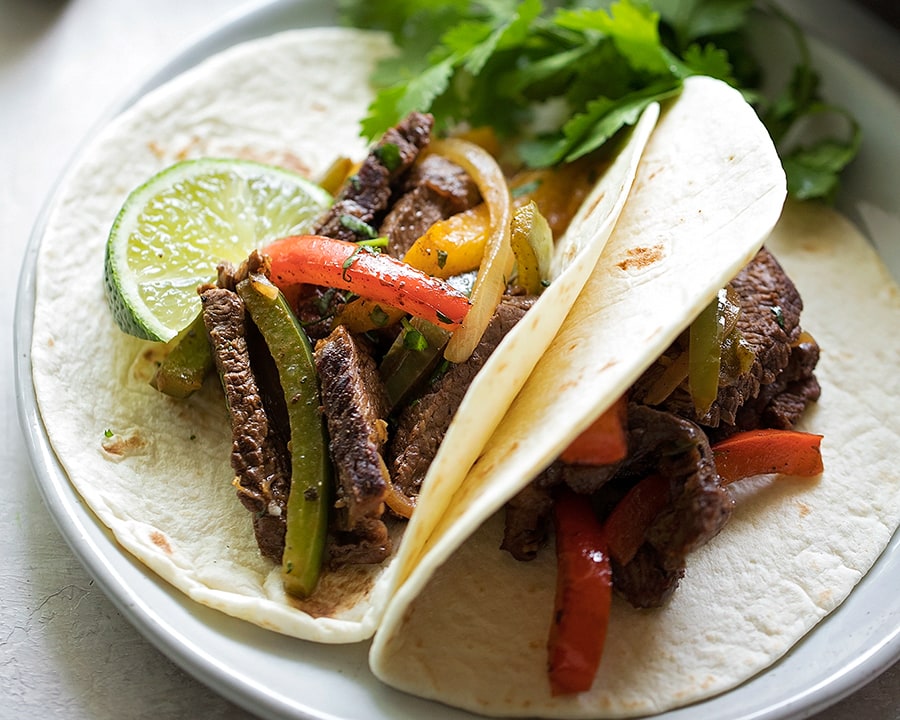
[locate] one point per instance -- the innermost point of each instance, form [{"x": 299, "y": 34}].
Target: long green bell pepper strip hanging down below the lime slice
[{"x": 310, "y": 494}]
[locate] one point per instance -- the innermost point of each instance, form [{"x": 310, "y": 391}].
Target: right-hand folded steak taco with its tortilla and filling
[{"x": 706, "y": 580}]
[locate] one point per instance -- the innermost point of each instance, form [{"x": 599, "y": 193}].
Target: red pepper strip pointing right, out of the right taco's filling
[{"x": 761, "y": 452}]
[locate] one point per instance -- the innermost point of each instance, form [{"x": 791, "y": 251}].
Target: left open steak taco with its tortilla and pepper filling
[{"x": 174, "y": 477}]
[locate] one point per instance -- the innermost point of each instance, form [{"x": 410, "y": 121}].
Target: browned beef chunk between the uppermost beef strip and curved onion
[{"x": 434, "y": 190}]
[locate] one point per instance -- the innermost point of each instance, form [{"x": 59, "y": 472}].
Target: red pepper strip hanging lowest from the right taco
[{"x": 583, "y": 596}]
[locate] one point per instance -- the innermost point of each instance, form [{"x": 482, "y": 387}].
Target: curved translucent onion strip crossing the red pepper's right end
[{"x": 497, "y": 261}]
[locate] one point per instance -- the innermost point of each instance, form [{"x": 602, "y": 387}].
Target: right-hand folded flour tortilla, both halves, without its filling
[{"x": 469, "y": 625}]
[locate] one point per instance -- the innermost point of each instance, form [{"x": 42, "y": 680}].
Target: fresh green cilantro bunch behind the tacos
[{"x": 559, "y": 82}]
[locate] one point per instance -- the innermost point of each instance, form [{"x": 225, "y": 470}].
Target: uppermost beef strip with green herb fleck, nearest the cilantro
[{"x": 366, "y": 195}]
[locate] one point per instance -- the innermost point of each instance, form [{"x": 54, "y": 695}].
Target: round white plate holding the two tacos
[{"x": 276, "y": 676}]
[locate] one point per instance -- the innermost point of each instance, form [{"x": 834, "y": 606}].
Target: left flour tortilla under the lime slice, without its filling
[{"x": 156, "y": 471}]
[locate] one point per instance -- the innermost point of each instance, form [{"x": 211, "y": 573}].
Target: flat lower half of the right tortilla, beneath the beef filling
[{"x": 474, "y": 634}]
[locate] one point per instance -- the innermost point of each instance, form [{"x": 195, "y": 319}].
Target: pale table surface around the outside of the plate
[{"x": 64, "y": 649}]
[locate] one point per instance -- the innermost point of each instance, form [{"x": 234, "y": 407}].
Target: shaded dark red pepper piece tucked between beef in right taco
[{"x": 629, "y": 520}]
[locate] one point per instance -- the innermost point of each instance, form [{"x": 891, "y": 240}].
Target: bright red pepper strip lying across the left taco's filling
[{"x": 318, "y": 260}]
